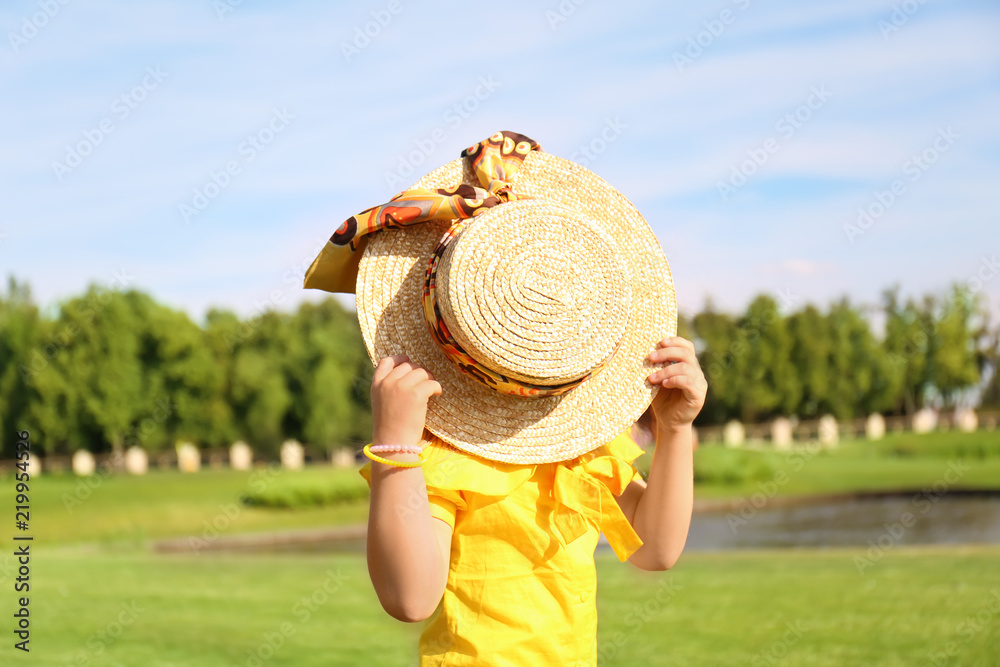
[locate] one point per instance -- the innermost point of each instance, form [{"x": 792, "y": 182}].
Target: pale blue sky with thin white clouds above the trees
[{"x": 749, "y": 134}]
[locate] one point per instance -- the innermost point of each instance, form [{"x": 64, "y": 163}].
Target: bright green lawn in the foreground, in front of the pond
[{"x": 744, "y": 608}]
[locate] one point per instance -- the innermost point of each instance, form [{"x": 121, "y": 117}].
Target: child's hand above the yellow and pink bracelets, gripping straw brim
[{"x": 400, "y": 391}]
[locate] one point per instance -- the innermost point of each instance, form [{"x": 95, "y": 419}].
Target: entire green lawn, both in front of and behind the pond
[{"x": 98, "y": 597}]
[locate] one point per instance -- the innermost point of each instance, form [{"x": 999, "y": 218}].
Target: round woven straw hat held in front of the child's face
[{"x": 560, "y": 289}]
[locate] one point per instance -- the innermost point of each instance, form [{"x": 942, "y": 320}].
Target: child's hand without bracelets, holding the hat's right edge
[{"x": 683, "y": 384}]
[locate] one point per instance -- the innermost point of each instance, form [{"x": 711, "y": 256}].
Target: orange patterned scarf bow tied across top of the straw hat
[{"x": 494, "y": 161}]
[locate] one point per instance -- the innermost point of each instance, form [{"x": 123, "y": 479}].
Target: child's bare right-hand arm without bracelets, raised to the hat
[{"x": 660, "y": 509}]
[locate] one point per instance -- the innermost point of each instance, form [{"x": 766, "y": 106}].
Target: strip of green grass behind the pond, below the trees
[{"x": 127, "y": 510}]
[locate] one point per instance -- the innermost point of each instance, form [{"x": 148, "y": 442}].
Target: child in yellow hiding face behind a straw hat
[{"x": 521, "y": 327}]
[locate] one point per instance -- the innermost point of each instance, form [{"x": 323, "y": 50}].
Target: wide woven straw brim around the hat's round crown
[{"x": 476, "y": 418}]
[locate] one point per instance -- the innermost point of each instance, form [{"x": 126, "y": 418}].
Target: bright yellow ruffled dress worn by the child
[{"x": 522, "y": 580}]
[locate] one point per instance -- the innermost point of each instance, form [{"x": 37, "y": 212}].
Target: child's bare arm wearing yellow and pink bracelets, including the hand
[{"x": 408, "y": 550}]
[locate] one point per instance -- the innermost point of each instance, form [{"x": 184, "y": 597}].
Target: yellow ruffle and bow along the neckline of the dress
[{"x": 584, "y": 488}]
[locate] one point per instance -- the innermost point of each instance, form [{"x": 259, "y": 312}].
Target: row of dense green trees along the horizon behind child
[{"x": 109, "y": 369}]
